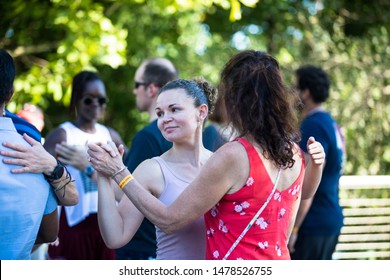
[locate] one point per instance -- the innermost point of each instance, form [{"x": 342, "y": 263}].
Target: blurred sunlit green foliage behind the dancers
[{"x": 53, "y": 40}]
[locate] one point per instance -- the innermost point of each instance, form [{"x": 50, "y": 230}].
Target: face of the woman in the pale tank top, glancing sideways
[{"x": 178, "y": 119}]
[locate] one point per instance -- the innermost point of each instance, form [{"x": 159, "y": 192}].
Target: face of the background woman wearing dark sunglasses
[{"x": 92, "y": 104}]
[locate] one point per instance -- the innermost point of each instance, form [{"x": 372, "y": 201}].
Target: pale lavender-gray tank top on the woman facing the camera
[{"x": 188, "y": 243}]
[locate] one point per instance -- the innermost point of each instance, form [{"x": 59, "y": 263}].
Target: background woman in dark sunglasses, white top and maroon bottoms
[{"x": 79, "y": 236}]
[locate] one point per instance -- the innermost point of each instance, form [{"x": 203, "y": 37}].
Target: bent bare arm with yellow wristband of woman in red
[{"x": 222, "y": 171}]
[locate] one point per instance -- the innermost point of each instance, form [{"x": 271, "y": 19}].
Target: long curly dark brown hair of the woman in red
[{"x": 260, "y": 106}]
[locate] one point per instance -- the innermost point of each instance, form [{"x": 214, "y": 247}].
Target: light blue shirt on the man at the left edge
[{"x": 25, "y": 199}]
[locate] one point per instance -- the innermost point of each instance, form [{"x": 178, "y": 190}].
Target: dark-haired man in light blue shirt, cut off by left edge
[{"x": 28, "y": 207}]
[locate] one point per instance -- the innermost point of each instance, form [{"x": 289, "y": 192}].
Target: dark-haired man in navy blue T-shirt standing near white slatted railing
[{"x": 320, "y": 219}]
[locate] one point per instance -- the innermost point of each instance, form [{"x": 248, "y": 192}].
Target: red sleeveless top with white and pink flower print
[{"x": 267, "y": 238}]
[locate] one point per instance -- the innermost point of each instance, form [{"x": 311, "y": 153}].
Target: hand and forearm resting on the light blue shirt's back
[{"x": 35, "y": 159}]
